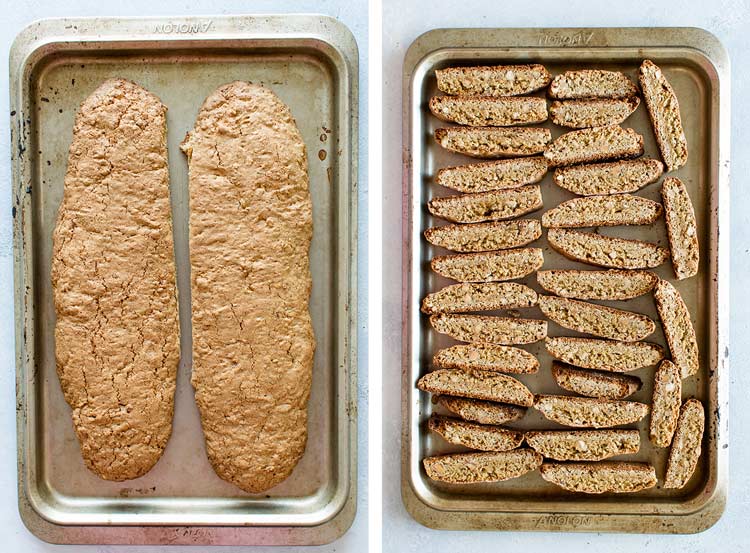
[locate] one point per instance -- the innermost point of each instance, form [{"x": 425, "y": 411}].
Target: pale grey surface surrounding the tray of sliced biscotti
[{"x": 403, "y": 22}]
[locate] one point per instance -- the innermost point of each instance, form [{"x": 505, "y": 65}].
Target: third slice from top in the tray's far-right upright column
[{"x": 678, "y": 328}]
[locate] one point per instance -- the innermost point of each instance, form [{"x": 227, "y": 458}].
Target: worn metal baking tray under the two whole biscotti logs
[{"x": 311, "y": 62}]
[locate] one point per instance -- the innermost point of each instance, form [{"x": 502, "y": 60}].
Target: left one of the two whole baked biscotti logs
[{"x": 113, "y": 274}]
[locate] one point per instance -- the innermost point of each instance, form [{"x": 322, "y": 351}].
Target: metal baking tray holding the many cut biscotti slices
[{"x": 697, "y": 66}]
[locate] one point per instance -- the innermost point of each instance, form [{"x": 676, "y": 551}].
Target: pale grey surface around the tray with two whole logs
[{"x": 13, "y": 17}]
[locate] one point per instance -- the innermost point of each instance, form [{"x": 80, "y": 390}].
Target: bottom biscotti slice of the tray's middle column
[{"x": 604, "y": 477}]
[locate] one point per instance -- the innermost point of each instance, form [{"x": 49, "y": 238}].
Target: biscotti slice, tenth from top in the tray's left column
[{"x": 486, "y": 357}]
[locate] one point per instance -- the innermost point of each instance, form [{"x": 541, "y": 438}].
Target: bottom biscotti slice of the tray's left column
[{"x": 471, "y": 468}]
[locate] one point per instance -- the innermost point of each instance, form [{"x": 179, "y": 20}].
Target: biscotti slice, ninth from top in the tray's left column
[{"x": 491, "y": 330}]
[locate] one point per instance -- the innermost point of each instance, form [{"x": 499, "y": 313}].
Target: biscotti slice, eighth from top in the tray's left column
[{"x": 460, "y": 298}]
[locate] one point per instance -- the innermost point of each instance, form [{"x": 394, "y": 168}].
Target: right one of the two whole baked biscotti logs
[{"x": 250, "y": 233}]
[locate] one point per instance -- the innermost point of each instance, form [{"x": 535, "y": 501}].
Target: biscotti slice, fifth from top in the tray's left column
[{"x": 487, "y": 206}]
